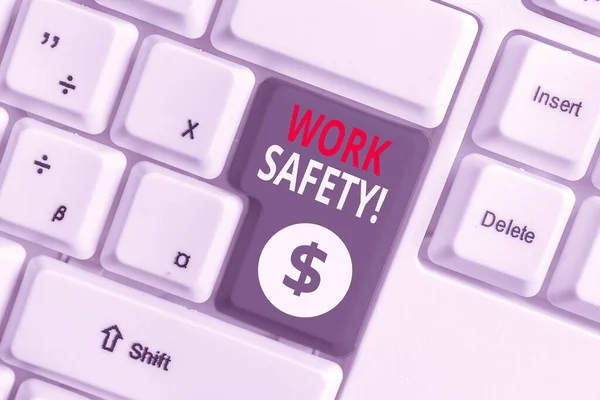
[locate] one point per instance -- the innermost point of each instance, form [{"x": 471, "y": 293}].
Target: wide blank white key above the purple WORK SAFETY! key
[{"x": 335, "y": 50}]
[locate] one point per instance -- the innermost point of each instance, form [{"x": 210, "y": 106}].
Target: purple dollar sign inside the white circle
[{"x": 306, "y": 270}]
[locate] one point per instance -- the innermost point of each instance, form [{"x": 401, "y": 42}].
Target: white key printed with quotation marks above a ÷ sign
[{"x": 66, "y": 62}]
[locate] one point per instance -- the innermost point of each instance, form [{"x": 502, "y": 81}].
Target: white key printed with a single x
[{"x": 188, "y": 120}]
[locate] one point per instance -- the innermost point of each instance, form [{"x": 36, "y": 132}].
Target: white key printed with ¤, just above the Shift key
[{"x": 178, "y": 249}]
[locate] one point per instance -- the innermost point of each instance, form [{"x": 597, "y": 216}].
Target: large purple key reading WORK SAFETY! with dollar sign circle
[{"x": 327, "y": 203}]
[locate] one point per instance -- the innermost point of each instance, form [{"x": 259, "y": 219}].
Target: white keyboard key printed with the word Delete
[{"x": 501, "y": 225}]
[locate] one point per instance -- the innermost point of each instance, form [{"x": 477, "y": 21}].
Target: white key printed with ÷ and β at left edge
[{"x": 56, "y": 188}]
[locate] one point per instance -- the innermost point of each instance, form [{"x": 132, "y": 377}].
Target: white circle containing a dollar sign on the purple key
[{"x": 305, "y": 270}]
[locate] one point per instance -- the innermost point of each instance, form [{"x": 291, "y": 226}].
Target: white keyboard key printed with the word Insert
[{"x": 542, "y": 109}]
